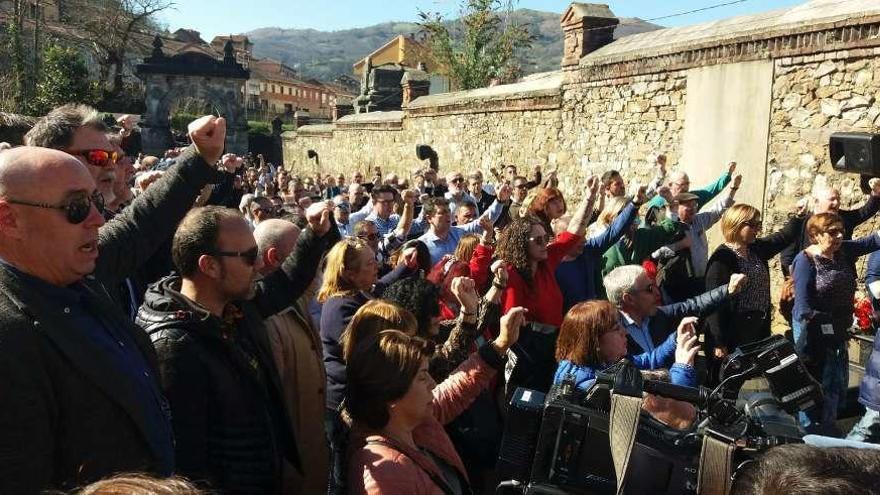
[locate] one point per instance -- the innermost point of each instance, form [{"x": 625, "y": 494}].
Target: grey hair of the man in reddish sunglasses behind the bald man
[{"x": 56, "y": 129}]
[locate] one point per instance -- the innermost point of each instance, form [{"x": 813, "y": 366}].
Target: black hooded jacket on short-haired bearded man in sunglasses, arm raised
[{"x": 228, "y": 413}]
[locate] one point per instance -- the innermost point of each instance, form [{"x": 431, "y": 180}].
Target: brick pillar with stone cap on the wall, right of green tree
[{"x": 586, "y": 27}]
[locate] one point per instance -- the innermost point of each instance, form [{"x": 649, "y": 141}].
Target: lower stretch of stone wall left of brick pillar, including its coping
[{"x": 508, "y": 126}]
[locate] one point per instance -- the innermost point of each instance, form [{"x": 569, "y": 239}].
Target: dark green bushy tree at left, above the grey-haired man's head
[{"x": 64, "y": 79}]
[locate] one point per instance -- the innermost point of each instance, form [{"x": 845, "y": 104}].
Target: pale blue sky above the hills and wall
[{"x": 213, "y": 17}]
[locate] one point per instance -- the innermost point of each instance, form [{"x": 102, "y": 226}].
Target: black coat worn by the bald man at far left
[{"x": 67, "y": 417}]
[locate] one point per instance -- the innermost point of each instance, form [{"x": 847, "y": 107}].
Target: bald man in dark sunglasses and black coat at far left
[{"x": 81, "y": 400}]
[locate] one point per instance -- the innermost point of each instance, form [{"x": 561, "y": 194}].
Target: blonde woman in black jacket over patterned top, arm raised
[{"x": 745, "y": 318}]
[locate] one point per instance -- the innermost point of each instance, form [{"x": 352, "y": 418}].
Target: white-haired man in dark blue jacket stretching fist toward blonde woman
[{"x": 647, "y": 325}]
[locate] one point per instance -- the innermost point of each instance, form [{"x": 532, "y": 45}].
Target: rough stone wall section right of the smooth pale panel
[{"x": 813, "y": 97}]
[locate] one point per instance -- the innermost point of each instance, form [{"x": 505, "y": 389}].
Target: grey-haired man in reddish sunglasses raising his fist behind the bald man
[{"x": 130, "y": 240}]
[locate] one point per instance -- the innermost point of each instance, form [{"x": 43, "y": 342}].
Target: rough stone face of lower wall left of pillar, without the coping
[{"x": 476, "y": 140}]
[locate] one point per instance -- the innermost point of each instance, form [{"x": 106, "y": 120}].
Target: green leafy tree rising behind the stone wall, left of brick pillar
[{"x": 479, "y": 46}]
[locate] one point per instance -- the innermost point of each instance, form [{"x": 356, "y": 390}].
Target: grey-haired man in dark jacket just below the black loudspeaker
[{"x": 827, "y": 200}]
